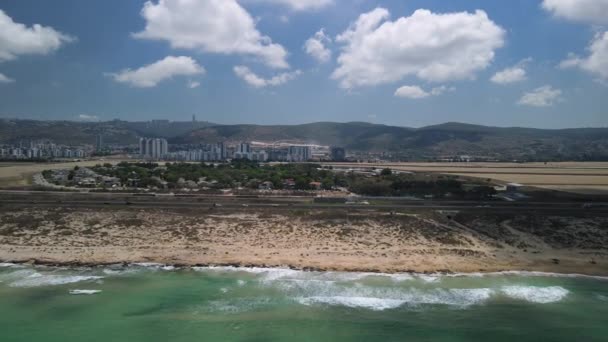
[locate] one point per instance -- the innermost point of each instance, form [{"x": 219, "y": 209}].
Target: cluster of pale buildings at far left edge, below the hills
[{"x": 42, "y": 150}]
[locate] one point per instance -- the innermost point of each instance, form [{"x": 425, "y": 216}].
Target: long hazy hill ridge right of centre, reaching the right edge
[{"x": 432, "y": 142}]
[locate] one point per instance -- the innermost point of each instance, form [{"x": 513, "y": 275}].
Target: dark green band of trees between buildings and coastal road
[{"x": 251, "y": 175}]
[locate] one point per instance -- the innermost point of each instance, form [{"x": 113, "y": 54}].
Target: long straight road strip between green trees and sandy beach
[{"x": 135, "y": 201}]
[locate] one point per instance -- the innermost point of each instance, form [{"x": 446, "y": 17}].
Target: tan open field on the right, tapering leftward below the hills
[{"x": 580, "y": 177}]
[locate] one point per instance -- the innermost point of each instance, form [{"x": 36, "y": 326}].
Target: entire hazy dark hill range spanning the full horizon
[{"x": 431, "y": 142}]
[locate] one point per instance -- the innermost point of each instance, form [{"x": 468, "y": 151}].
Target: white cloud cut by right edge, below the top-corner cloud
[{"x": 597, "y": 61}]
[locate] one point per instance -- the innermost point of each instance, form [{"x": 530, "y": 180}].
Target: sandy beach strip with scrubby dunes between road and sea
[{"x": 426, "y": 241}]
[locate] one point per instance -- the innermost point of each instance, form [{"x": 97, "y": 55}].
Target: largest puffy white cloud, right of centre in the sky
[{"x": 433, "y": 47}]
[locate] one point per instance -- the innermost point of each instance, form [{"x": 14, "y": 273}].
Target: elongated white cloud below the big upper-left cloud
[{"x": 152, "y": 74}]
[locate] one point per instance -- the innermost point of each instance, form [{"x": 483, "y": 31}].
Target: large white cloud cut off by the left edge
[{"x": 17, "y": 39}]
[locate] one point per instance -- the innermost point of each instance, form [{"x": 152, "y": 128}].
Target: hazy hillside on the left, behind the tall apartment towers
[{"x": 71, "y": 132}]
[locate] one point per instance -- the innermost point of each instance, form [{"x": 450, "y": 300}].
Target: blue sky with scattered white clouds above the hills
[{"x": 527, "y": 63}]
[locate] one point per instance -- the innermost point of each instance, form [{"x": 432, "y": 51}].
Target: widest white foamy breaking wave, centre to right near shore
[{"x": 360, "y": 290}]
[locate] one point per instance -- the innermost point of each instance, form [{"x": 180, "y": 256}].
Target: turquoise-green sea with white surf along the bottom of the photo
[{"x": 155, "y": 303}]
